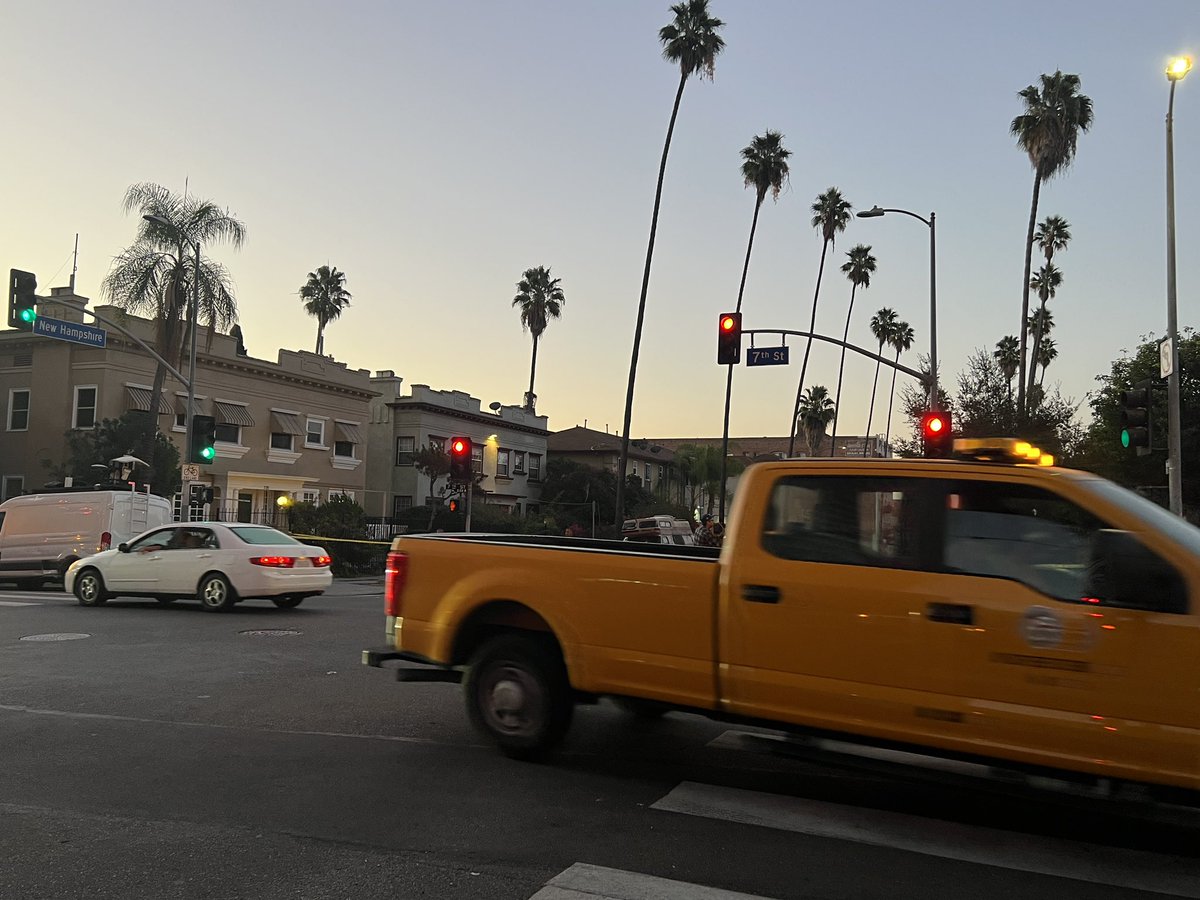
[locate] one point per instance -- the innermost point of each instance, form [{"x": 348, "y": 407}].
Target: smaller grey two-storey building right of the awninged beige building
[{"x": 509, "y": 446}]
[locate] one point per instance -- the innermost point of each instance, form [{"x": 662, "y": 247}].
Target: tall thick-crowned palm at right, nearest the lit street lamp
[{"x": 1048, "y": 131}]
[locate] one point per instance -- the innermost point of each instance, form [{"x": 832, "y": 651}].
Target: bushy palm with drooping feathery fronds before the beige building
[{"x": 155, "y": 275}]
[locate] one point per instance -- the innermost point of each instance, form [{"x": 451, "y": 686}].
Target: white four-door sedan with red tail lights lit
[{"x": 219, "y": 563}]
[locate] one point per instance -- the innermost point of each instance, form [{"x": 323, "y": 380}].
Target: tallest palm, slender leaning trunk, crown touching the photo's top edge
[{"x": 692, "y": 43}]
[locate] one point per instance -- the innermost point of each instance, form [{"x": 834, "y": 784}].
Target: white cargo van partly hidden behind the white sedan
[{"x": 41, "y": 535}]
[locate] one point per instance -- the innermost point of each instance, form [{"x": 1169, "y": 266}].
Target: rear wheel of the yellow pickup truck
[{"x": 519, "y": 695}]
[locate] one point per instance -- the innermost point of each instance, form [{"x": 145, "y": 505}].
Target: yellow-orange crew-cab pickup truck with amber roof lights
[{"x": 989, "y": 607}]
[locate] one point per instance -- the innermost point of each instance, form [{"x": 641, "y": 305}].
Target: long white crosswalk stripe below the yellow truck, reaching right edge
[{"x": 1179, "y": 877}]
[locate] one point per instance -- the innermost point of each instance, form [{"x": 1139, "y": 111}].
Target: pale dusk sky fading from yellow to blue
[{"x": 434, "y": 152}]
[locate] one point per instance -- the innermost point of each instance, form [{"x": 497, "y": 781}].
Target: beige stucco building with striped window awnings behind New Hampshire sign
[{"x": 292, "y": 428}]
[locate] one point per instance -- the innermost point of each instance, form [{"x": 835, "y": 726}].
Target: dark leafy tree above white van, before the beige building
[{"x": 89, "y": 451}]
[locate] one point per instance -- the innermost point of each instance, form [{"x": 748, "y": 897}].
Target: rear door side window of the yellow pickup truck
[{"x": 845, "y": 521}]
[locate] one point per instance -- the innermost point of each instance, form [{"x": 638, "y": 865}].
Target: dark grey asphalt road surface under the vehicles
[{"x": 161, "y": 752}]
